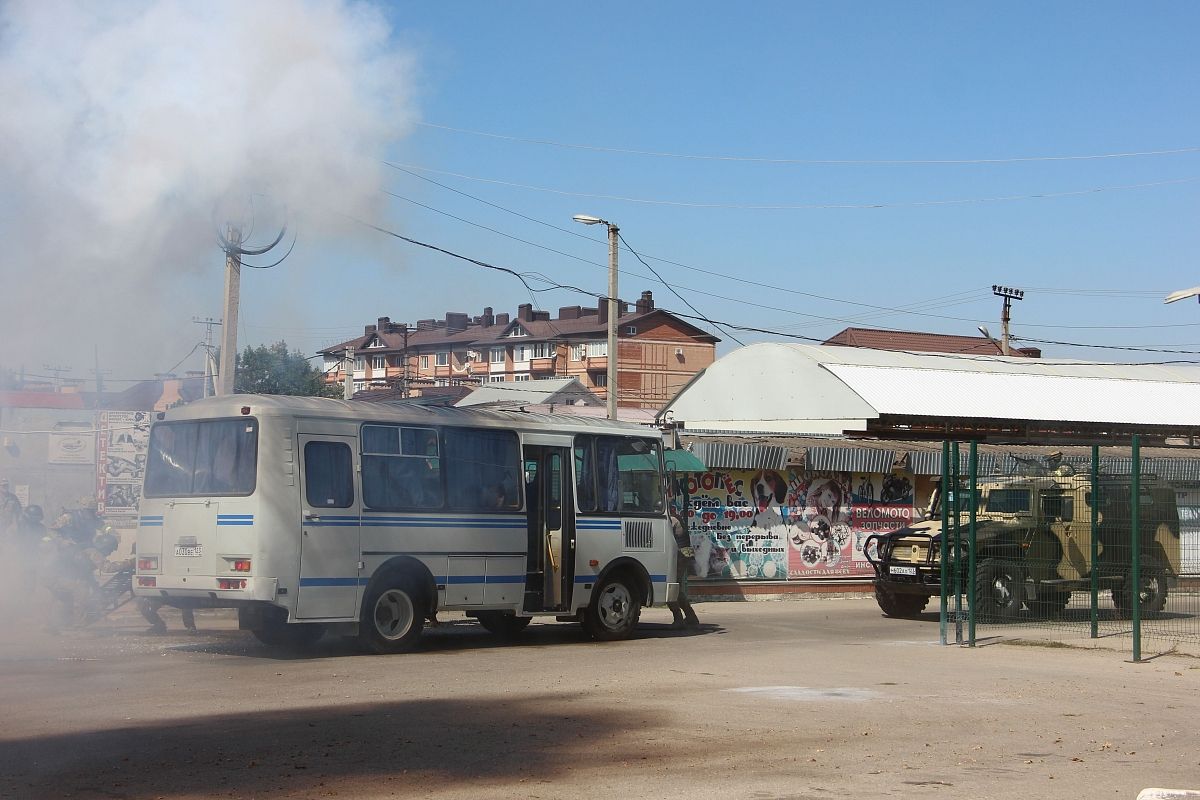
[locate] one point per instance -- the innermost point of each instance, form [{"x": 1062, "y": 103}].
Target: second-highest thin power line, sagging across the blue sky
[{"x": 803, "y": 207}]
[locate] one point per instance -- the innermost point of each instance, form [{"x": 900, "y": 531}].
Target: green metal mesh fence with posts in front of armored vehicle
[{"x": 1077, "y": 549}]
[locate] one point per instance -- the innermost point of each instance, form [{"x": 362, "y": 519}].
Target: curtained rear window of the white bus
[{"x": 202, "y": 459}]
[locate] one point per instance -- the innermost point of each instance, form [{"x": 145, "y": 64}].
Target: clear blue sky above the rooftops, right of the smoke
[{"x": 1016, "y": 88}]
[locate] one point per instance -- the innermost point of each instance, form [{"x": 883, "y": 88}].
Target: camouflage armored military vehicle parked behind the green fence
[{"x": 1034, "y": 540}]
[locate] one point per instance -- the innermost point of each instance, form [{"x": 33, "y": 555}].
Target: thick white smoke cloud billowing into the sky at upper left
[{"x": 127, "y": 124}]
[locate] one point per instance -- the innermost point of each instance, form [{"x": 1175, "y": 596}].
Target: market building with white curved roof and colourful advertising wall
[{"x": 811, "y": 449}]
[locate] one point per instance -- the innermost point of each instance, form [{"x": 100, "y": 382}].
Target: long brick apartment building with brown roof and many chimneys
[{"x": 658, "y": 353}]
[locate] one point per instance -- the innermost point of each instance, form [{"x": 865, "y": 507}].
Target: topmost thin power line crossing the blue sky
[{"x": 811, "y": 161}]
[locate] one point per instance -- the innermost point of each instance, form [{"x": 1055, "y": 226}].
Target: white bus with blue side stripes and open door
[{"x": 311, "y": 515}]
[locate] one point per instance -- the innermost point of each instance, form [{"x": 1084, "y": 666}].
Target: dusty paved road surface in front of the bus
[{"x": 797, "y": 700}]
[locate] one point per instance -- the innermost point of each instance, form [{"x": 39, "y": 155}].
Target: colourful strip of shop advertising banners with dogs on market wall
[{"x": 771, "y": 525}]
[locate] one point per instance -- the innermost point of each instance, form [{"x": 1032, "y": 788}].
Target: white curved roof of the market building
[{"x": 823, "y": 389}]
